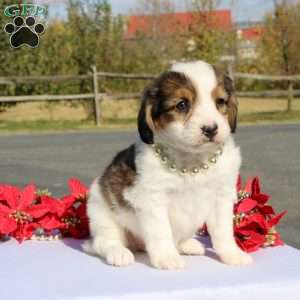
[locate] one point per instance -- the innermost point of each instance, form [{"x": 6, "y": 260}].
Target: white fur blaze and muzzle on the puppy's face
[{"x": 187, "y": 135}]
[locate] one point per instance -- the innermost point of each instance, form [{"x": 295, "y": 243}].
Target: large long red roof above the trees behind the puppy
[{"x": 172, "y": 22}]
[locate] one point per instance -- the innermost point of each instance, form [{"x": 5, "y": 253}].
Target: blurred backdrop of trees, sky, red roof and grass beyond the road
[{"x": 255, "y": 40}]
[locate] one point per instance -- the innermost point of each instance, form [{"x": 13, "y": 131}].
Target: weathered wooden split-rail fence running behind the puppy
[{"x": 97, "y": 96}]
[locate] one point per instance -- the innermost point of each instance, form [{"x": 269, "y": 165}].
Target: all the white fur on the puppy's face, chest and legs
[{"x": 170, "y": 208}]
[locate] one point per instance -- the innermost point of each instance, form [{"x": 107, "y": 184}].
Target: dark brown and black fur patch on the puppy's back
[{"x": 121, "y": 173}]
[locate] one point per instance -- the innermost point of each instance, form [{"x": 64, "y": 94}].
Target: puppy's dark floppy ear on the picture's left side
[{"x": 145, "y": 121}]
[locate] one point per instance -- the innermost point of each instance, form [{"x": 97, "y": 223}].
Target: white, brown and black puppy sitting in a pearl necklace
[{"x": 182, "y": 173}]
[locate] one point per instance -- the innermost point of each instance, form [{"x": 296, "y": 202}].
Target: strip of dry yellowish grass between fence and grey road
[{"x": 122, "y": 115}]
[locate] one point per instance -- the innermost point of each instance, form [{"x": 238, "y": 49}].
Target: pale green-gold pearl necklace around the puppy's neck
[{"x": 172, "y": 166}]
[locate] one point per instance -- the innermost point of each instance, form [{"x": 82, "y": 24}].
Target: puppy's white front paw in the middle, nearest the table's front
[{"x": 167, "y": 260}]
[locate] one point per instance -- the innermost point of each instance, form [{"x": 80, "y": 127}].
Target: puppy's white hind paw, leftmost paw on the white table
[{"x": 119, "y": 256}]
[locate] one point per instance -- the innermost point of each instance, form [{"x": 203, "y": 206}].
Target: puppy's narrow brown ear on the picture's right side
[{"x": 232, "y": 102}]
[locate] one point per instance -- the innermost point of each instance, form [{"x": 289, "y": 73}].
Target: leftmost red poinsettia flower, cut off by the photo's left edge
[{"x": 18, "y": 214}]
